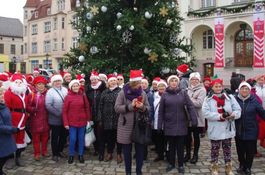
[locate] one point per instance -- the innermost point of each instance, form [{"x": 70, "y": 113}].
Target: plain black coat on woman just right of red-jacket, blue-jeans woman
[{"x": 93, "y": 96}]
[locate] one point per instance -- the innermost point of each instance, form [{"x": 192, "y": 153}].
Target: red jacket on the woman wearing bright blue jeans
[{"x": 75, "y": 113}]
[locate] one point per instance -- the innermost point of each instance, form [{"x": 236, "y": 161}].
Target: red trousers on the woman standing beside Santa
[{"x": 44, "y": 136}]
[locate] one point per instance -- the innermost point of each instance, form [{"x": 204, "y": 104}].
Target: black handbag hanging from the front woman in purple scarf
[{"x": 142, "y": 130}]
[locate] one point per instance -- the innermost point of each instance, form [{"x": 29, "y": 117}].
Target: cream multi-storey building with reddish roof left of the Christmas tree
[{"x": 47, "y": 32}]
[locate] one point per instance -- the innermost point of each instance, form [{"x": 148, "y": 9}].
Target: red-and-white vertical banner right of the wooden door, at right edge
[{"x": 258, "y": 22}]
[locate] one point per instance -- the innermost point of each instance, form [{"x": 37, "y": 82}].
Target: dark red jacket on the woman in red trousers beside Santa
[{"x": 38, "y": 121}]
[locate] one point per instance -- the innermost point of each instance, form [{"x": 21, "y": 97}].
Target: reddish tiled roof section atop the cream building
[{"x": 42, "y": 10}]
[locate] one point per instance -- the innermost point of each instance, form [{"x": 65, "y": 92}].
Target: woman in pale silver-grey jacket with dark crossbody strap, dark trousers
[{"x": 54, "y": 105}]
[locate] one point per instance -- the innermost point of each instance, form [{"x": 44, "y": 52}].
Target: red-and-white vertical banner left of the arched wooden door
[{"x": 219, "y": 42}]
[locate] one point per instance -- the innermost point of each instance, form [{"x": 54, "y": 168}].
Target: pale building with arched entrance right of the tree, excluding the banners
[{"x": 237, "y": 49}]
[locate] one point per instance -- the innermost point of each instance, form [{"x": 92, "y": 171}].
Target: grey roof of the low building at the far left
[{"x": 11, "y": 27}]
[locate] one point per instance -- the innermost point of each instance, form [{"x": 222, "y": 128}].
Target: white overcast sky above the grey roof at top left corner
[{"x": 12, "y": 8}]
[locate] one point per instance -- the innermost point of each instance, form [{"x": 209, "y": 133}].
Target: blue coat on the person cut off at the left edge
[{"x": 7, "y": 141}]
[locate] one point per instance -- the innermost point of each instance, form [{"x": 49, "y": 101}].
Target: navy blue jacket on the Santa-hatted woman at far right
[{"x": 247, "y": 127}]
